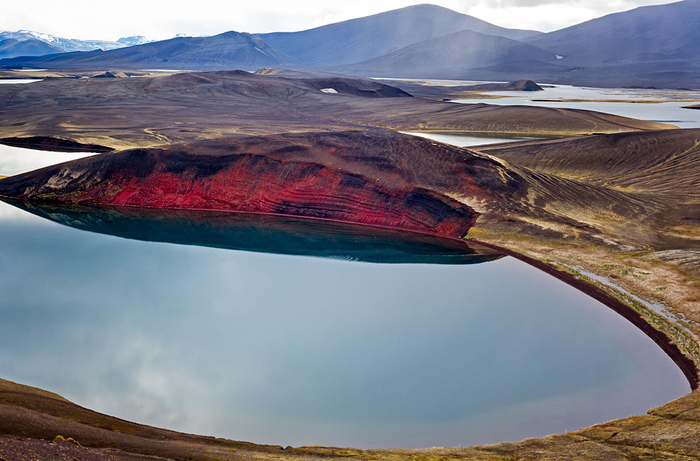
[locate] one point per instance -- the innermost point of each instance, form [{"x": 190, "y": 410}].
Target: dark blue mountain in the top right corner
[{"x": 652, "y": 45}]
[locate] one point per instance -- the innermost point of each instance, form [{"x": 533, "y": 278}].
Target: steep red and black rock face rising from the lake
[{"x": 230, "y": 176}]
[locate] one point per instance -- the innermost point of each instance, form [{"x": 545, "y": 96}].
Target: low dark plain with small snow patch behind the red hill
[{"x": 149, "y": 111}]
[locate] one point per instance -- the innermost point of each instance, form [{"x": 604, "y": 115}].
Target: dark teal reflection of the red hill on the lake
[{"x": 265, "y": 233}]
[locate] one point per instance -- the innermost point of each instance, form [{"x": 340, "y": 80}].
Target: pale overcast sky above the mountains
[{"x": 162, "y": 19}]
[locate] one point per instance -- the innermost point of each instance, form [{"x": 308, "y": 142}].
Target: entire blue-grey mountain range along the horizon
[{"x": 654, "y": 46}]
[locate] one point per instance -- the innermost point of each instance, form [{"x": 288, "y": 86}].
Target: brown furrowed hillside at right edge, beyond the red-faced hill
[{"x": 661, "y": 162}]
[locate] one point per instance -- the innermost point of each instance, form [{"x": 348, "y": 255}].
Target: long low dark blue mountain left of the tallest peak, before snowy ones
[{"x": 230, "y": 50}]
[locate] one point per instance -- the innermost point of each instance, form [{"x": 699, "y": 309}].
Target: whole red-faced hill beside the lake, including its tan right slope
[{"x": 372, "y": 177}]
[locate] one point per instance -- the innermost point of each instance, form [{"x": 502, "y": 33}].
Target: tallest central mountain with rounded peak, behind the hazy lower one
[{"x": 362, "y": 39}]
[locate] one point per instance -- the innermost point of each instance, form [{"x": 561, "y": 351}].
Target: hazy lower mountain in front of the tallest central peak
[{"x": 453, "y": 56}]
